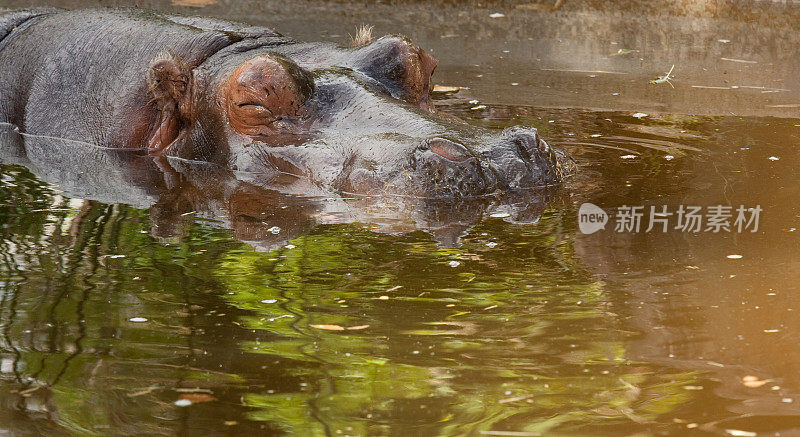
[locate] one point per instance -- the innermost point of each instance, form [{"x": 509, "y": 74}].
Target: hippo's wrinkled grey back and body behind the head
[{"x": 81, "y": 75}]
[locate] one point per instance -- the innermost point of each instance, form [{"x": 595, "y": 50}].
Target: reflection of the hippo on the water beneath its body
[{"x": 177, "y": 191}]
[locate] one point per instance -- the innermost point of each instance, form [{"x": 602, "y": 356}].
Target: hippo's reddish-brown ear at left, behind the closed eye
[{"x": 169, "y": 83}]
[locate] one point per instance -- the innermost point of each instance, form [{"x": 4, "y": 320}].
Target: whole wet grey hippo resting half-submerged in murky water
[{"x": 271, "y": 109}]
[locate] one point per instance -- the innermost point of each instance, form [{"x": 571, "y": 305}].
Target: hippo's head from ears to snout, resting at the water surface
[{"x": 357, "y": 120}]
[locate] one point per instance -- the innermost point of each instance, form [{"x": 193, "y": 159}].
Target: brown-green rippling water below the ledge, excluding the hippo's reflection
[{"x": 109, "y": 327}]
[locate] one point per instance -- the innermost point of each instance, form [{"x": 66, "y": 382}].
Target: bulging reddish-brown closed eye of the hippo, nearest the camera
[{"x": 266, "y": 95}]
